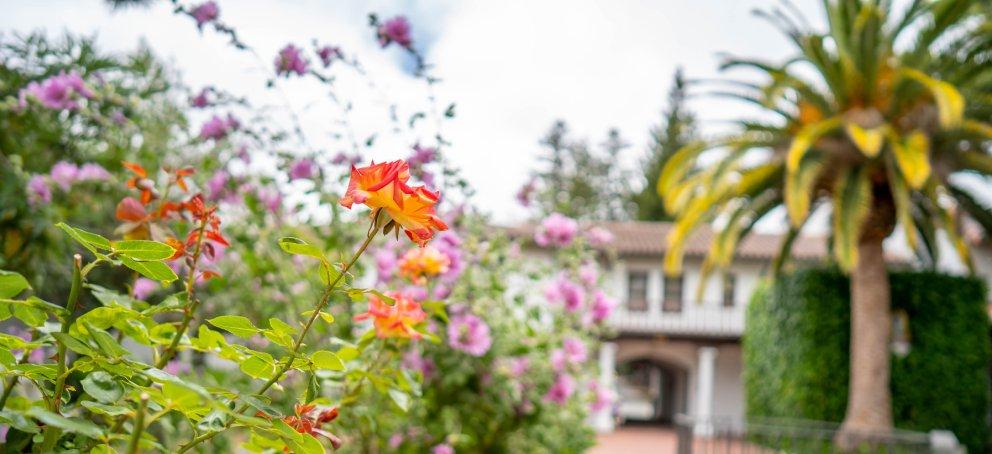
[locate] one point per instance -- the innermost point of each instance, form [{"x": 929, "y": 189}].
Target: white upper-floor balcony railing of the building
[{"x": 691, "y": 321}]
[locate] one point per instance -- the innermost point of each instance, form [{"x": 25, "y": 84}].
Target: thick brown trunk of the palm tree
[{"x": 869, "y": 404}]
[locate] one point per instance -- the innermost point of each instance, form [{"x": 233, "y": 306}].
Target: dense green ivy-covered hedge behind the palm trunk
[{"x": 797, "y": 340}]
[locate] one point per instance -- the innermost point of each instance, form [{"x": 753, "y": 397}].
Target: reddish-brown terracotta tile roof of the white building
[{"x": 648, "y": 238}]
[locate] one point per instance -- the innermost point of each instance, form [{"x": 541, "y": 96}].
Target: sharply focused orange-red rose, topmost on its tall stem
[{"x": 385, "y": 186}]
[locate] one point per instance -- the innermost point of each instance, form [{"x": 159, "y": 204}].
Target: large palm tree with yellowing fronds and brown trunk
[{"x": 878, "y": 118}]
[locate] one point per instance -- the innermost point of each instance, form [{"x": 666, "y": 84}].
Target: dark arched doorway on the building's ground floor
[{"x": 651, "y": 391}]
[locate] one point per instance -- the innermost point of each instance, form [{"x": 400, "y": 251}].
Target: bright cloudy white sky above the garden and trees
[{"x": 512, "y": 67}]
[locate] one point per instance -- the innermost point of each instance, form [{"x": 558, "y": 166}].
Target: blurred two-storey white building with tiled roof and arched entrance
[{"x": 674, "y": 353}]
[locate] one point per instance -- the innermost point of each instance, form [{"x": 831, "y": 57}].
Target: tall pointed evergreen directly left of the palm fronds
[{"x": 677, "y": 129}]
